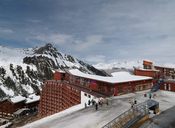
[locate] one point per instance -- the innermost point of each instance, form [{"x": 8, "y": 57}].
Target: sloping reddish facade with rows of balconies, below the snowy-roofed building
[{"x": 57, "y": 96}]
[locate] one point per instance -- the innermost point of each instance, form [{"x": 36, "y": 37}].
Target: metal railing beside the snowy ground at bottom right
[{"x": 128, "y": 118}]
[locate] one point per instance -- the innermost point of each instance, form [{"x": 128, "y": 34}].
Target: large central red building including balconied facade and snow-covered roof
[{"x": 65, "y": 90}]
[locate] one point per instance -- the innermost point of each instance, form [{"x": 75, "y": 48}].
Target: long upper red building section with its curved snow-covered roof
[{"x": 120, "y": 83}]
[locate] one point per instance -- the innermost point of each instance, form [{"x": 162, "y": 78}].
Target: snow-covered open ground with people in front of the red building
[{"x": 78, "y": 117}]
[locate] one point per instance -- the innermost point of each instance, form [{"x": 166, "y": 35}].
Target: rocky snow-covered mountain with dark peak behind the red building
[{"x": 22, "y": 71}]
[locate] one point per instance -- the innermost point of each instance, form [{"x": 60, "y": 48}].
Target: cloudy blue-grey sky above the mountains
[{"x": 93, "y": 30}]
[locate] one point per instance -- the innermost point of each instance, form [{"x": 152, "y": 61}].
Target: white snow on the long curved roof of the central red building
[{"x": 118, "y": 77}]
